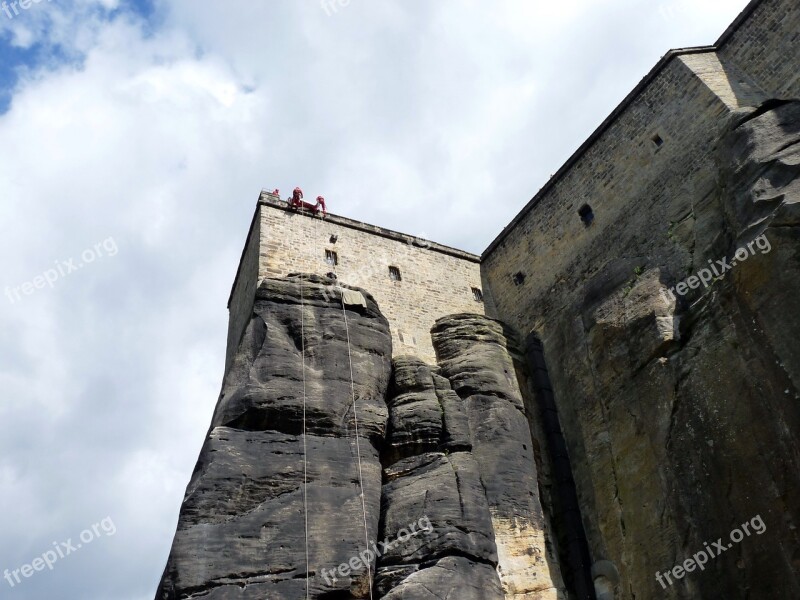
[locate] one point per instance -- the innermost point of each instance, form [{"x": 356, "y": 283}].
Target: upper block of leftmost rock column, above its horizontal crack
[{"x": 264, "y": 387}]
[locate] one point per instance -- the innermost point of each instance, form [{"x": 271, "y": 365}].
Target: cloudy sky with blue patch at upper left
[{"x": 135, "y": 138}]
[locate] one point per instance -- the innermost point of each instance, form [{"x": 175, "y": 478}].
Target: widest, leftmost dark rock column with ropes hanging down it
[{"x": 241, "y": 532}]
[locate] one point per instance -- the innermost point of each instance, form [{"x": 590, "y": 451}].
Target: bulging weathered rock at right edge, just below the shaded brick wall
[{"x": 761, "y": 196}]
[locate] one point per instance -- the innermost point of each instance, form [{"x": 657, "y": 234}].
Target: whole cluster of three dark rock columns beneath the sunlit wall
[{"x": 444, "y": 455}]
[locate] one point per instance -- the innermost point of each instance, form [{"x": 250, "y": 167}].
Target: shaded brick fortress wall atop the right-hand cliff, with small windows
[{"x": 649, "y": 161}]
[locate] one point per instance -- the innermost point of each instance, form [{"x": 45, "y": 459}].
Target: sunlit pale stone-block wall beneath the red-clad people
[{"x": 434, "y": 280}]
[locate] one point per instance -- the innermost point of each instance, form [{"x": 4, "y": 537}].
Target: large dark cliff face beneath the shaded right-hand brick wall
[{"x": 682, "y": 412}]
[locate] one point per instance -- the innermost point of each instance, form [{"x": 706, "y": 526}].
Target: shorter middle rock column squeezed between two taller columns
[{"x": 435, "y": 517}]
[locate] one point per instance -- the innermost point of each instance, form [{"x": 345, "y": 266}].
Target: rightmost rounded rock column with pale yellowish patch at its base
[{"x": 472, "y": 354}]
